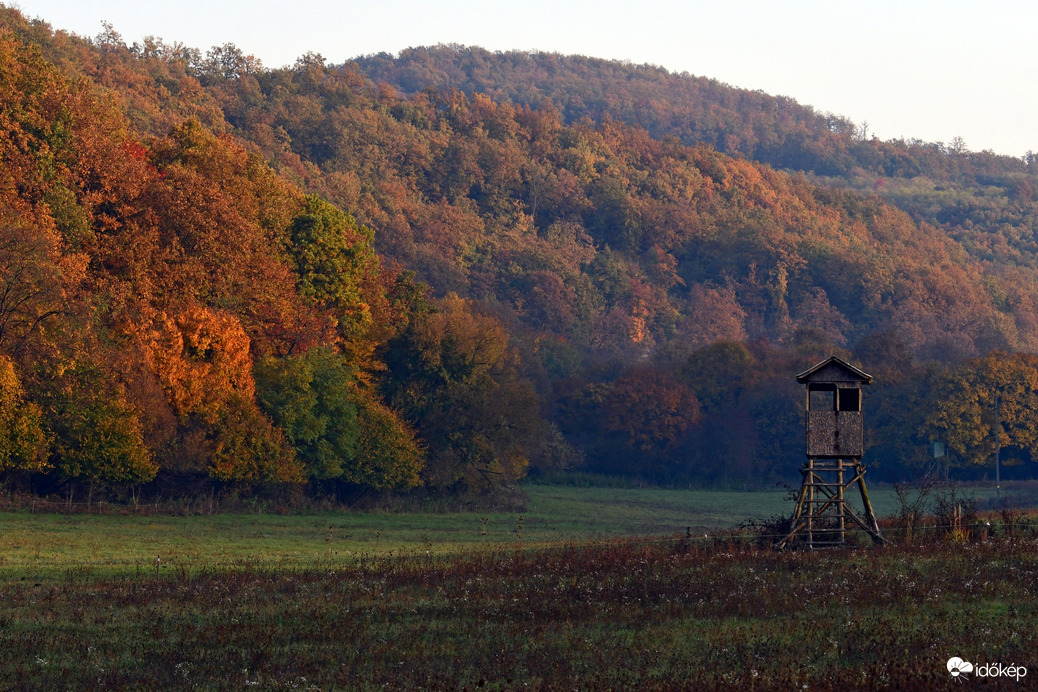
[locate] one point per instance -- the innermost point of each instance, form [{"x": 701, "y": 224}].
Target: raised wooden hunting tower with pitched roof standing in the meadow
[{"x": 835, "y": 450}]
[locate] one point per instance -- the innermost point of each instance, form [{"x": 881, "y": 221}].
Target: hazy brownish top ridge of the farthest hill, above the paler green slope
[{"x": 697, "y": 110}]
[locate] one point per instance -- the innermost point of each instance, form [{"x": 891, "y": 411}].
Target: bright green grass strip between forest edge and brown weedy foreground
[{"x": 42, "y": 546}]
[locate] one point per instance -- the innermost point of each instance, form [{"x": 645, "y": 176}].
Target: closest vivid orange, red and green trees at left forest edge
[{"x": 174, "y": 312}]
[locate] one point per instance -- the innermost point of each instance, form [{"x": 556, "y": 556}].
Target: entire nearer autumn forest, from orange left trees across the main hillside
[{"x": 252, "y": 278}]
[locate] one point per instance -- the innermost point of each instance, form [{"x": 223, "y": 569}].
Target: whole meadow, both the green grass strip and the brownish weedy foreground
[{"x": 602, "y": 591}]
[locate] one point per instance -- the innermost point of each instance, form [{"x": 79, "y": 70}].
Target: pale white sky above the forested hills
[{"x": 933, "y": 70}]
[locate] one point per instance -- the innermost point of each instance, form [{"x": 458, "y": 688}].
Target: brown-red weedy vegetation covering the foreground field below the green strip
[{"x": 672, "y": 614}]
